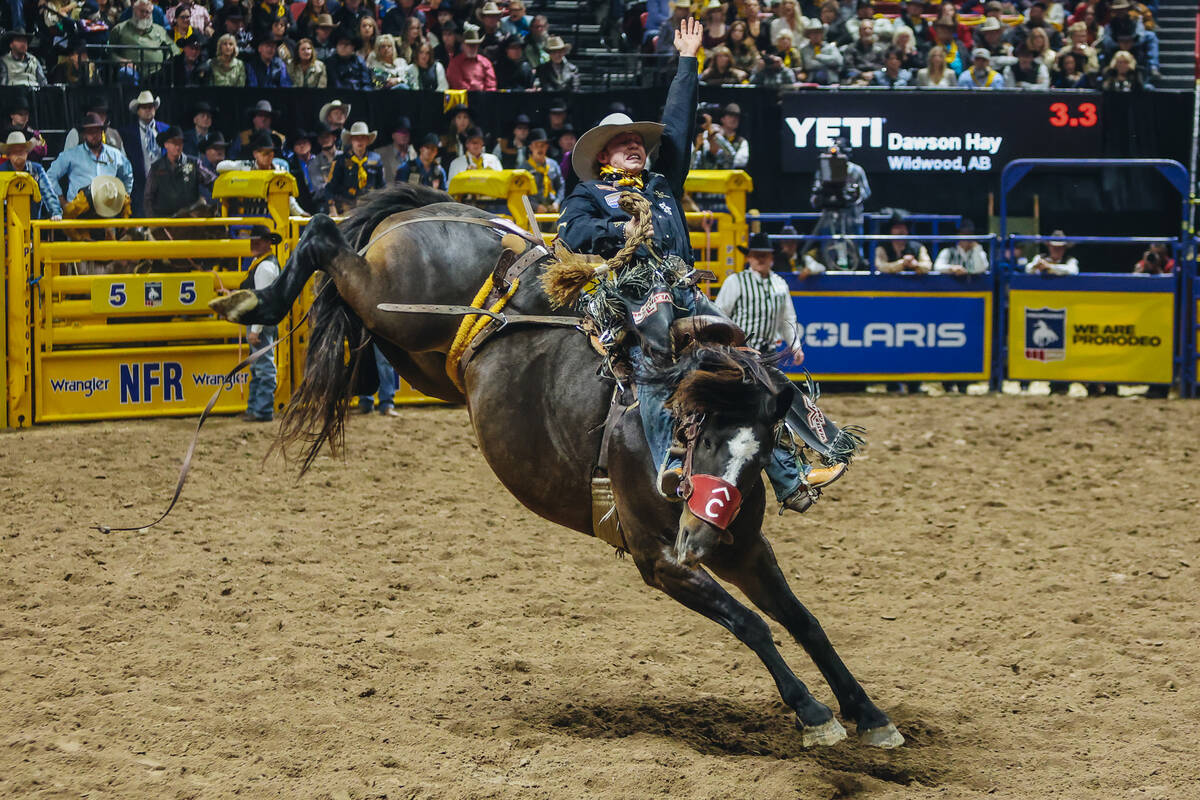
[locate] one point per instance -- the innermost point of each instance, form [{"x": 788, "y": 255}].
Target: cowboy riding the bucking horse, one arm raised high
[{"x": 610, "y": 160}]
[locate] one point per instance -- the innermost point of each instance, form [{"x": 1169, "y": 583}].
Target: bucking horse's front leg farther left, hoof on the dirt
[{"x": 699, "y": 592}]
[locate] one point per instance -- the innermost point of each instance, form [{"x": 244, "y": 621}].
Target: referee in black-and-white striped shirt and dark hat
[{"x": 760, "y": 304}]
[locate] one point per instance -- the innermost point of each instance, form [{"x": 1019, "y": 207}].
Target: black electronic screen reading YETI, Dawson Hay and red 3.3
[{"x": 940, "y": 131}]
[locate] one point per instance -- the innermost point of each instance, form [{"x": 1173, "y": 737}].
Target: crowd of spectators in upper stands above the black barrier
[{"x": 485, "y": 45}]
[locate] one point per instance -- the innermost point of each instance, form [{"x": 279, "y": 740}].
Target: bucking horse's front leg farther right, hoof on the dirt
[{"x": 752, "y": 568}]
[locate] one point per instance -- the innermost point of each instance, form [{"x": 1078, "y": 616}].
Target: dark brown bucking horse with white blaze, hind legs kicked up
[{"x": 542, "y": 412}]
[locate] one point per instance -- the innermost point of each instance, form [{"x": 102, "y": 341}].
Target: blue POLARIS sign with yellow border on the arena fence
[{"x": 929, "y": 334}]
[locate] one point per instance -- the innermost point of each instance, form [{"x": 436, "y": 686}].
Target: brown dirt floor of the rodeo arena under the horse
[{"x": 1013, "y": 579}]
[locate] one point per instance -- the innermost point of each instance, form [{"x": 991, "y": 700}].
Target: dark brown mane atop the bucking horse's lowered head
[{"x": 715, "y": 380}]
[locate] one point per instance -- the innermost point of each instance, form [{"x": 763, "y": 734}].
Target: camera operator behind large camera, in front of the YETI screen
[{"x": 839, "y": 191}]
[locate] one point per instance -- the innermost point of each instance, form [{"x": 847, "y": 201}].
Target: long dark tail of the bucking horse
[{"x": 316, "y": 414}]
